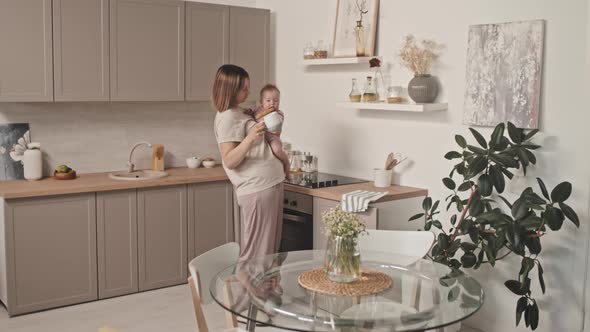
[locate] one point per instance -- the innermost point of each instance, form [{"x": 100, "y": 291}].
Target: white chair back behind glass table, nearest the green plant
[{"x": 405, "y": 243}]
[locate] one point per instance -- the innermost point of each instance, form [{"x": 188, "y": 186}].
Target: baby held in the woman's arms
[{"x": 270, "y": 97}]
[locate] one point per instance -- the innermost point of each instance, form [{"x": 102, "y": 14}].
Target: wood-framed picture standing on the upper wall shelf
[{"x": 348, "y": 12}]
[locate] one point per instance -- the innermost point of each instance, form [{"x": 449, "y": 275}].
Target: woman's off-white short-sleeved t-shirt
[{"x": 260, "y": 169}]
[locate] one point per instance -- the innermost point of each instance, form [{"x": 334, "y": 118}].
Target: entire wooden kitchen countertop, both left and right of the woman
[{"x": 96, "y": 182}]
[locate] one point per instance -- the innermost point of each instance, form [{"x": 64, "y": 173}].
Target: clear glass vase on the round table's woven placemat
[{"x": 343, "y": 259}]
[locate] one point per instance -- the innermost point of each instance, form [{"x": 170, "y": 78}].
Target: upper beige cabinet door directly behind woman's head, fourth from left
[{"x": 207, "y": 47}]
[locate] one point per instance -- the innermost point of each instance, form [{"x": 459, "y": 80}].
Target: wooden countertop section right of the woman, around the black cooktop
[{"x": 335, "y": 193}]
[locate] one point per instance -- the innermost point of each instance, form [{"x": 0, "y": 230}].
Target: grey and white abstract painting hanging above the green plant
[{"x": 503, "y": 76}]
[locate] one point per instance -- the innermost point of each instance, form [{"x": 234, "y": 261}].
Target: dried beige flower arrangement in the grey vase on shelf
[{"x": 418, "y": 59}]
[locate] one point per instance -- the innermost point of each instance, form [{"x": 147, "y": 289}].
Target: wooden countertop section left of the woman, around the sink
[{"x": 95, "y": 182}]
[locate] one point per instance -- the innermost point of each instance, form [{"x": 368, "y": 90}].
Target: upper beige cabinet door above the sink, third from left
[{"x": 147, "y": 50}]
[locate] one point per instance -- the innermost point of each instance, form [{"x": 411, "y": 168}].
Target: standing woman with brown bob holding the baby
[{"x": 257, "y": 175}]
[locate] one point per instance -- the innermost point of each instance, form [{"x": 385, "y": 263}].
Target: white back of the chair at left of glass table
[{"x": 204, "y": 267}]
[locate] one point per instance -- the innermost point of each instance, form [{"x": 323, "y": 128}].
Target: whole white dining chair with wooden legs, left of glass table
[{"x": 202, "y": 269}]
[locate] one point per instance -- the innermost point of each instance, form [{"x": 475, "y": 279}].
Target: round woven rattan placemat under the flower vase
[{"x": 371, "y": 282}]
